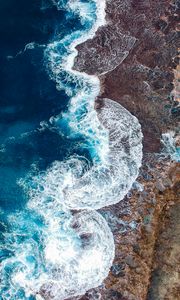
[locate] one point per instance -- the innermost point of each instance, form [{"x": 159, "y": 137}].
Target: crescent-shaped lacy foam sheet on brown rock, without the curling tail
[{"x": 107, "y": 183}]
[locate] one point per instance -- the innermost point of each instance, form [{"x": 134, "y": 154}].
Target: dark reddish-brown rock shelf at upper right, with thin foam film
[{"x": 134, "y": 56}]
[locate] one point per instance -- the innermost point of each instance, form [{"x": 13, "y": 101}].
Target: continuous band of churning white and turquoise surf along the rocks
[{"x": 60, "y": 246}]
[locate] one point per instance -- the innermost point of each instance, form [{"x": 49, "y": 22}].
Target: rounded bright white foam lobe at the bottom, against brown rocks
[{"x": 78, "y": 261}]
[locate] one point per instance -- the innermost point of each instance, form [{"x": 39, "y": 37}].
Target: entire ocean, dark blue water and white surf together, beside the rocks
[{"x": 59, "y": 160}]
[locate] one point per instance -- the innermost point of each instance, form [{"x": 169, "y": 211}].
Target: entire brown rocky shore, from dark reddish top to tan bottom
[{"x": 136, "y": 59}]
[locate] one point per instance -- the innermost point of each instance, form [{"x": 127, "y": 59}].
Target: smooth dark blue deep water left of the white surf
[{"x": 27, "y": 95}]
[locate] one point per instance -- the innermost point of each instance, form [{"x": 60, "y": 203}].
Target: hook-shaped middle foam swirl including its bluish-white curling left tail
[{"x": 72, "y": 184}]
